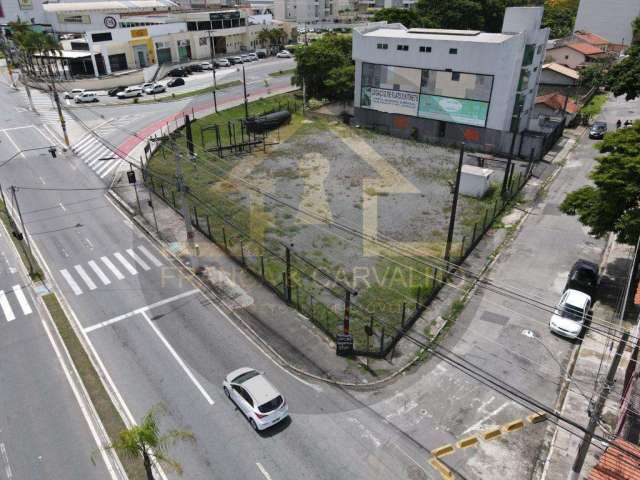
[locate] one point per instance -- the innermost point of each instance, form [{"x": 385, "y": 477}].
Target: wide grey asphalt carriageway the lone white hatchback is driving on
[{"x": 165, "y": 343}]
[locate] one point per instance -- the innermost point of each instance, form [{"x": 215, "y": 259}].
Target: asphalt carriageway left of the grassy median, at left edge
[{"x": 43, "y": 433}]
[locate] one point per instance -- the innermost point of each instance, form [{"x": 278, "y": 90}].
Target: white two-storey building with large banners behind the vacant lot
[{"x": 451, "y": 85}]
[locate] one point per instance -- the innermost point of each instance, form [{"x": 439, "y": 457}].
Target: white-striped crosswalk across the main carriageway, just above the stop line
[{"x": 89, "y": 276}]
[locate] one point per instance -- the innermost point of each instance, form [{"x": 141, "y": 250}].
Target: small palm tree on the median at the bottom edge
[{"x": 145, "y": 442}]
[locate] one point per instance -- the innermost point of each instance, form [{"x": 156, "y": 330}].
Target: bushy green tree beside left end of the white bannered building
[{"x": 316, "y": 62}]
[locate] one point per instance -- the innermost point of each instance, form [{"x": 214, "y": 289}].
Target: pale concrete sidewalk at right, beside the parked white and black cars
[{"x": 591, "y": 367}]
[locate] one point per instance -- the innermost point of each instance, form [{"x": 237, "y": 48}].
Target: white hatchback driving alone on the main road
[{"x": 254, "y": 395}]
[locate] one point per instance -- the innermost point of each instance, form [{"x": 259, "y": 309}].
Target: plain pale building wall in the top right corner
[{"x": 610, "y": 19}]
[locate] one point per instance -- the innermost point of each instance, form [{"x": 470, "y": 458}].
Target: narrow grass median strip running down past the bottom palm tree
[{"x": 99, "y": 397}]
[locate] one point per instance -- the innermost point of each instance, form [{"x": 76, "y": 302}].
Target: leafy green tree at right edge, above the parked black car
[{"x": 612, "y": 204}]
